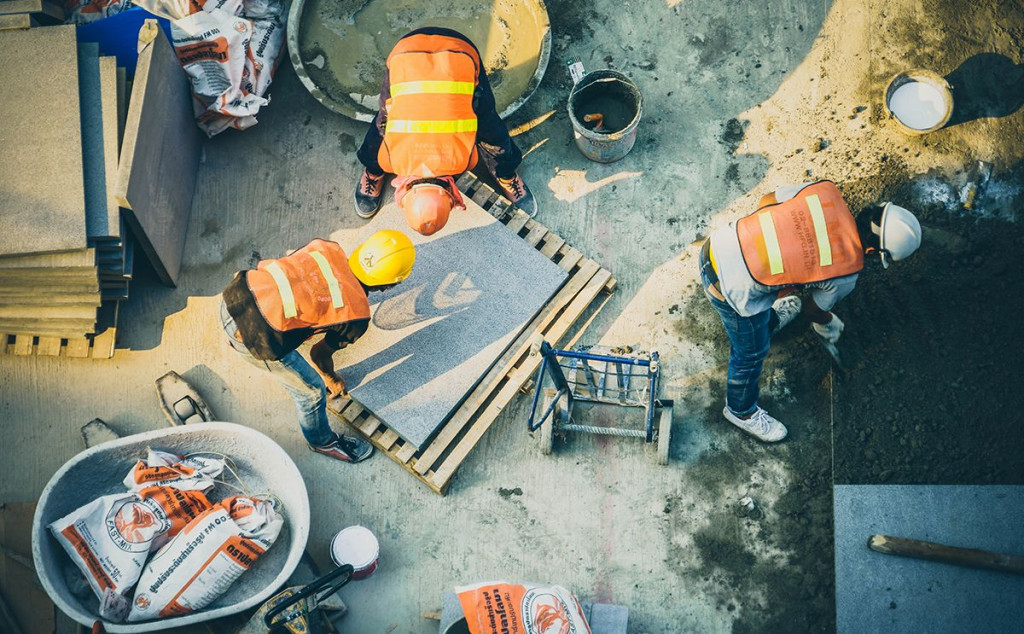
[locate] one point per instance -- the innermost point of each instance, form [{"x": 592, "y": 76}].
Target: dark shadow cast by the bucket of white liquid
[{"x": 987, "y": 86}]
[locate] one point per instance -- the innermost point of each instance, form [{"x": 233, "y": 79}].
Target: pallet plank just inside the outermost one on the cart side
[{"x": 506, "y": 363}]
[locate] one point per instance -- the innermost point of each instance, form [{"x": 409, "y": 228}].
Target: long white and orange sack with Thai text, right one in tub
[{"x": 203, "y": 562}]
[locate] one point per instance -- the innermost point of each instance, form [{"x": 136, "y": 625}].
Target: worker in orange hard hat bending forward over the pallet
[{"x": 437, "y": 118}]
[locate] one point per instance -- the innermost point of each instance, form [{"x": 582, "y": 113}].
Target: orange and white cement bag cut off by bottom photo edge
[{"x": 499, "y": 608}]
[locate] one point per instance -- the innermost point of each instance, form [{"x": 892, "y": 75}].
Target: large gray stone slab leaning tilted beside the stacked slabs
[{"x": 159, "y": 158}]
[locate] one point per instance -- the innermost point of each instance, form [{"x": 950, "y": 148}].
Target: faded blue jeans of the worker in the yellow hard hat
[{"x": 298, "y": 378}]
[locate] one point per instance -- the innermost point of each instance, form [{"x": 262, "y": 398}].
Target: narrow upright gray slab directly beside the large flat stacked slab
[{"x": 94, "y": 161}]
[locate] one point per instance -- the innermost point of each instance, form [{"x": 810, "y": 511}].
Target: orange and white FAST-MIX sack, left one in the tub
[{"x": 110, "y": 539}]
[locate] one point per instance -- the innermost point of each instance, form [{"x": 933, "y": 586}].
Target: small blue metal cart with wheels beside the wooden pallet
[{"x": 605, "y": 375}]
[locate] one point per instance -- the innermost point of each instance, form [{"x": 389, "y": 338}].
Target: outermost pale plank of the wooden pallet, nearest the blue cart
[{"x": 444, "y": 474}]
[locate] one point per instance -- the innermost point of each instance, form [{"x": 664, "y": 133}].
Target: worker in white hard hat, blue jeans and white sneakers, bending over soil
[{"x": 801, "y": 238}]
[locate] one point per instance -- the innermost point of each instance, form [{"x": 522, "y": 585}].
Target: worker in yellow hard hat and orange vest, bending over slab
[{"x": 270, "y": 312}]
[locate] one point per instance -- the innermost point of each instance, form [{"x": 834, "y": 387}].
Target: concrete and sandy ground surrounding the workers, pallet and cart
[{"x": 741, "y": 98}]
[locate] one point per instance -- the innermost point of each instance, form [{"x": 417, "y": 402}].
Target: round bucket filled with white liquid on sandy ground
[{"x": 920, "y": 102}]
